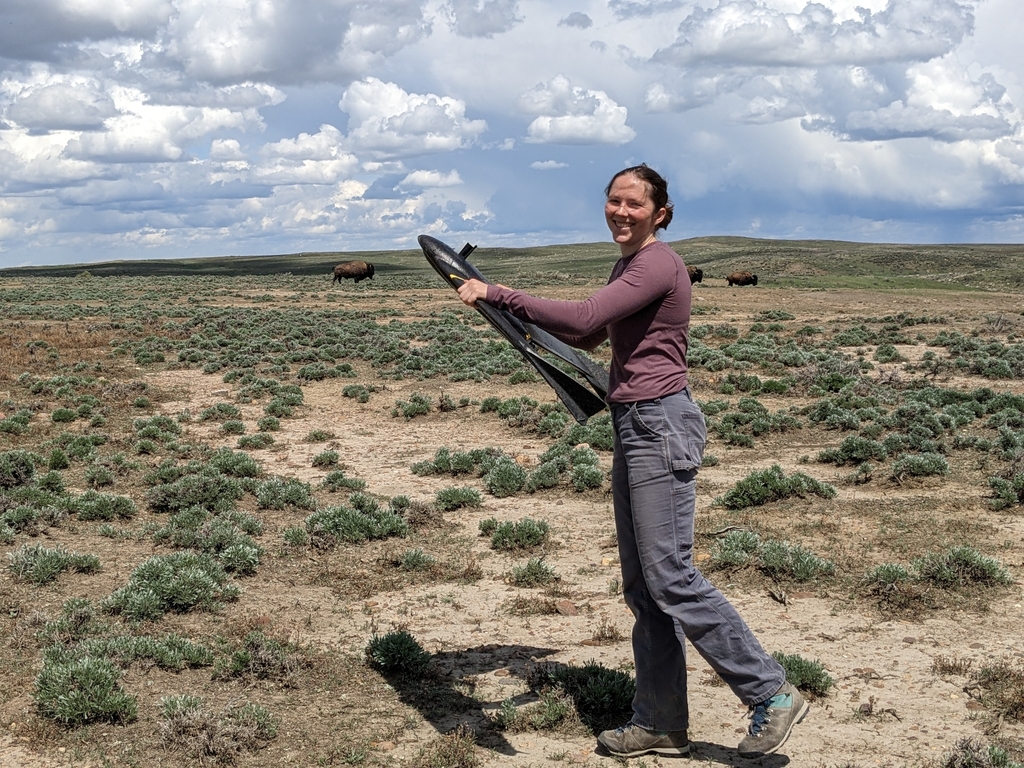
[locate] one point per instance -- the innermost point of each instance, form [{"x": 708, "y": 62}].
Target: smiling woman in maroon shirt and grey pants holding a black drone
[{"x": 645, "y": 311}]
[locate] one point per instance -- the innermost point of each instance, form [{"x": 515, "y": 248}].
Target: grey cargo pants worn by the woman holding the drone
[{"x": 659, "y": 448}]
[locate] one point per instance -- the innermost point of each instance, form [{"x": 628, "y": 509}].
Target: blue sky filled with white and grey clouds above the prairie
[{"x": 136, "y": 130}]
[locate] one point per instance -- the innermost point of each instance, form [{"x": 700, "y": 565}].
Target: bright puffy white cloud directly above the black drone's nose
[{"x": 388, "y": 122}]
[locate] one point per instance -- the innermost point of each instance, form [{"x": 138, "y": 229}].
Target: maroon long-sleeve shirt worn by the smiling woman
[{"x": 645, "y": 311}]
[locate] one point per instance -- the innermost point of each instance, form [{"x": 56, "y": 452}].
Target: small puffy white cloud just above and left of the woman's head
[{"x": 574, "y": 116}]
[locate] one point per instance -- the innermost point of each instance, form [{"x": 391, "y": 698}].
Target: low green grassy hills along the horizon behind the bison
[{"x": 812, "y": 264}]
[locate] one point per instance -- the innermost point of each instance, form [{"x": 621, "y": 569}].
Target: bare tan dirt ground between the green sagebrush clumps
[{"x": 888, "y": 708}]
